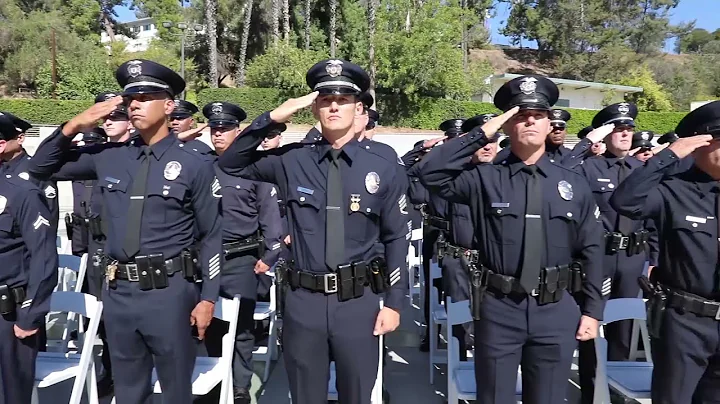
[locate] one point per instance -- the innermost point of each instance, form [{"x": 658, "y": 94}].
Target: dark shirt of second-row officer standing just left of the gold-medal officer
[{"x": 249, "y": 206}]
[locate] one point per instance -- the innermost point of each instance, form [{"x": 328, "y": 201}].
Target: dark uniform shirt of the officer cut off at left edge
[{"x": 27, "y": 248}]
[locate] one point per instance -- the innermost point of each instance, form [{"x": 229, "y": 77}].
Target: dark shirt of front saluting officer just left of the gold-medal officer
[{"x": 179, "y": 196}]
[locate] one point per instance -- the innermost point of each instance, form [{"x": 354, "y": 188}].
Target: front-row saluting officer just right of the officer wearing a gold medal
[{"x": 532, "y": 219}]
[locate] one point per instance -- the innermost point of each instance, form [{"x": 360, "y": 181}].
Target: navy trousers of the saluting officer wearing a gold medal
[{"x": 317, "y": 326}]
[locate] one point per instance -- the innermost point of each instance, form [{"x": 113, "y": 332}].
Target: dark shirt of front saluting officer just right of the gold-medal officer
[{"x": 496, "y": 195}]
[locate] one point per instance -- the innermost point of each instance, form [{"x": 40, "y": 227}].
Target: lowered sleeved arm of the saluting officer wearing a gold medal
[{"x": 395, "y": 228}]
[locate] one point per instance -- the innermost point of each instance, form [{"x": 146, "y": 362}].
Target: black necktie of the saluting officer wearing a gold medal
[{"x": 335, "y": 215}]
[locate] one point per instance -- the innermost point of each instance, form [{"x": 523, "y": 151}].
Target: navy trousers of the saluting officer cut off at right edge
[{"x": 686, "y": 360}]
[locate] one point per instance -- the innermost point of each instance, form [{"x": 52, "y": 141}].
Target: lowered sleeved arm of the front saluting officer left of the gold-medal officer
[{"x": 208, "y": 221}]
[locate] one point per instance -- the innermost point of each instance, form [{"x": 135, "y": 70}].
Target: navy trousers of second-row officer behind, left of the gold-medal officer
[{"x": 237, "y": 279}]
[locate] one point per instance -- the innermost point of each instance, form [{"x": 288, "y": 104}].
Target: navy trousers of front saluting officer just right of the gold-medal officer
[{"x": 514, "y": 330}]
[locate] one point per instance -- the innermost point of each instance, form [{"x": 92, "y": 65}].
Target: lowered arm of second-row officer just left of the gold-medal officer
[{"x": 270, "y": 222}]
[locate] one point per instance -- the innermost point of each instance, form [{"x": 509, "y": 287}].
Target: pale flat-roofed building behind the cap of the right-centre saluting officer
[{"x": 573, "y": 93}]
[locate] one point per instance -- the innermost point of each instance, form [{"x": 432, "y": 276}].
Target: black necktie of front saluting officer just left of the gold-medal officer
[{"x": 131, "y": 246}]
